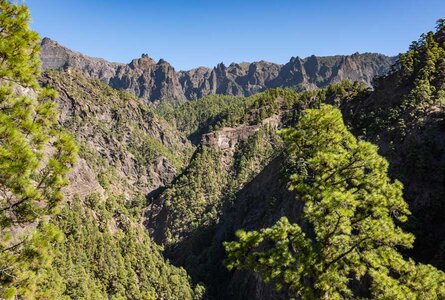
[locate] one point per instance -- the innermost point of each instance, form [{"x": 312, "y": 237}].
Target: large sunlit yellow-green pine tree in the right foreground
[{"x": 349, "y": 231}]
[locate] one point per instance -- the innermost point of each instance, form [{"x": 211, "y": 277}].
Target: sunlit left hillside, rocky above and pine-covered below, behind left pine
[{"x": 126, "y": 152}]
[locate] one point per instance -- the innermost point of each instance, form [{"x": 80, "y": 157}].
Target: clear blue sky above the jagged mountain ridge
[{"x": 191, "y": 33}]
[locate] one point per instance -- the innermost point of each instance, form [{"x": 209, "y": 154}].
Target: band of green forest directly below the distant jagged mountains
[{"x": 213, "y": 112}]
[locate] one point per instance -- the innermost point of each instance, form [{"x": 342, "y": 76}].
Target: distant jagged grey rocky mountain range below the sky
[{"x": 150, "y": 80}]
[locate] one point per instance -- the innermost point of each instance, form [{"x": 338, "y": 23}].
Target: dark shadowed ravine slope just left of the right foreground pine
[{"x": 257, "y": 204}]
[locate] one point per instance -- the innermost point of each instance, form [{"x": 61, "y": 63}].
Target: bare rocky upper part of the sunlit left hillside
[{"x": 124, "y": 148}]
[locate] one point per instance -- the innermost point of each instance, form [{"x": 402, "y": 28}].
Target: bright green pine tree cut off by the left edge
[{"x": 35, "y": 156}]
